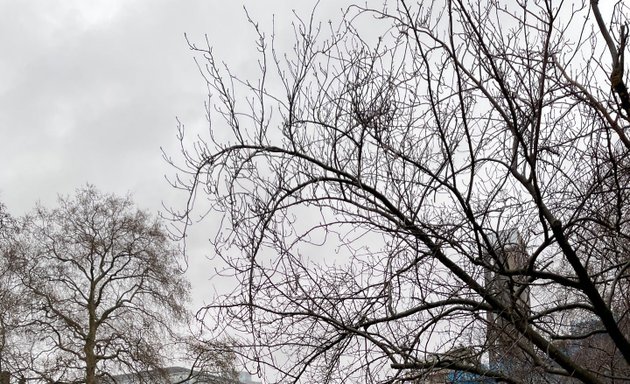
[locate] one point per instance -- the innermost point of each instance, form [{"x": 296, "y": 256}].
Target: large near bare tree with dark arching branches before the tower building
[{"x": 438, "y": 188}]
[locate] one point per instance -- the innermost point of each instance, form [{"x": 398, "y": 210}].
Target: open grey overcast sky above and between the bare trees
[{"x": 90, "y": 89}]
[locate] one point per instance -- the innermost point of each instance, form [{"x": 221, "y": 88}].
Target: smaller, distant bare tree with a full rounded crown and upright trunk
[{"x": 105, "y": 291}]
